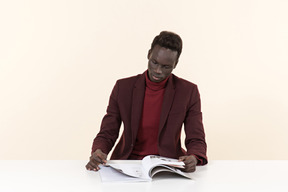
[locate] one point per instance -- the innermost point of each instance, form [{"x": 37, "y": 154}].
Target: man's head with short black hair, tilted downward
[{"x": 163, "y": 55}]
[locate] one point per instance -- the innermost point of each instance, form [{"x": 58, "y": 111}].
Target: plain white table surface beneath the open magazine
[{"x": 71, "y": 175}]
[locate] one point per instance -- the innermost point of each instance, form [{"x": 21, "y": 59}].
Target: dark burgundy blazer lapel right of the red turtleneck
[{"x": 167, "y": 102}]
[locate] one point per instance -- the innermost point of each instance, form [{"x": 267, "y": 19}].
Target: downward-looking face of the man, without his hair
[{"x": 161, "y": 63}]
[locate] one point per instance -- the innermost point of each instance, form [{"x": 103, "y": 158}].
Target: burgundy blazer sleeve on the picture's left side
[{"x": 110, "y": 125}]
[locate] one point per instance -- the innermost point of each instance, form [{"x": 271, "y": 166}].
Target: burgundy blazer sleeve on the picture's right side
[{"x": 193, "y": 126}]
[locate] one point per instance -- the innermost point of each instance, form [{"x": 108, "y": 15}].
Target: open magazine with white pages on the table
[{"x": 144, "y": 171}]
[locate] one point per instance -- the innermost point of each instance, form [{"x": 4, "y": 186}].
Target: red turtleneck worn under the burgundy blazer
[{"x": 147, "y": 137}]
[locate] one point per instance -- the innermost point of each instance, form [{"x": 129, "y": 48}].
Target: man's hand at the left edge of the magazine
[{"x": 98, "y": 157}]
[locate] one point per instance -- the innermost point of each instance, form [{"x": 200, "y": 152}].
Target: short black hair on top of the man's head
[{"x": 168, "y": 40}]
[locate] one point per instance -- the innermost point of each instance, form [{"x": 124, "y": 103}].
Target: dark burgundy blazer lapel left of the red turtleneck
[{"x": 137, "y": 105}]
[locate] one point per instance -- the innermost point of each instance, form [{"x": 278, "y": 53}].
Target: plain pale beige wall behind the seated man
[{"x": 60, "y": 59}]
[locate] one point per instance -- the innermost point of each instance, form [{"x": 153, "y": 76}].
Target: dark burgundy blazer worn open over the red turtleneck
[{"x": 181, "y": 105}]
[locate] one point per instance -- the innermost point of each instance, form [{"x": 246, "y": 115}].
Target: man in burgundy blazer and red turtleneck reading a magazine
[{"x": 153, "y": 106}]
